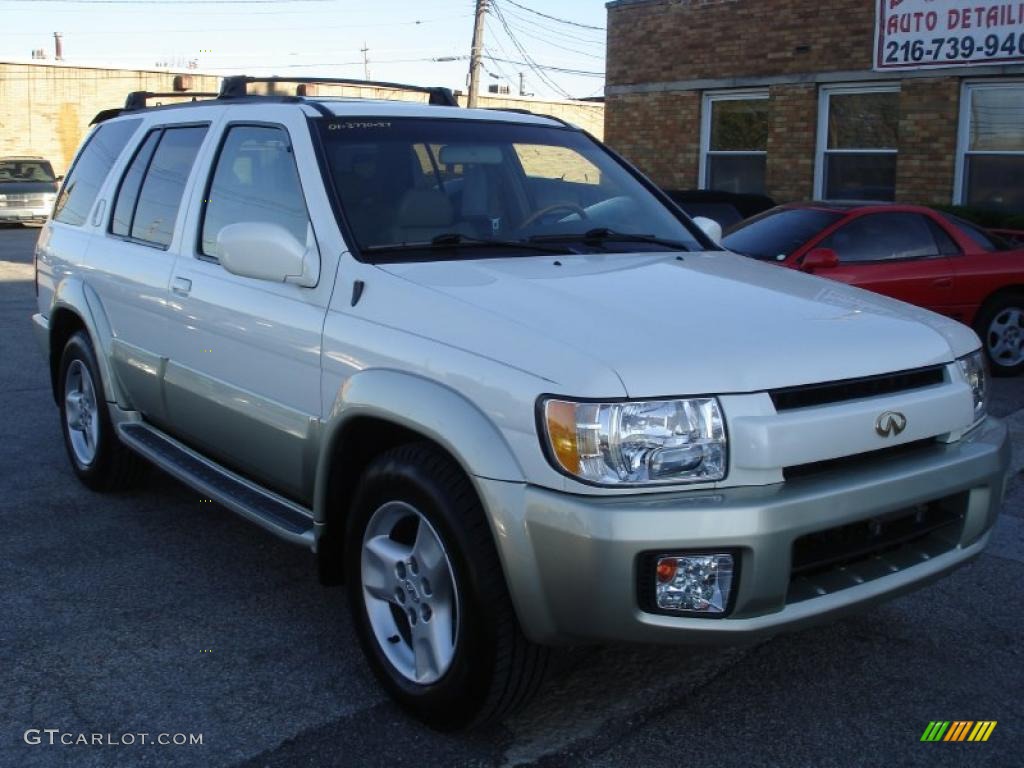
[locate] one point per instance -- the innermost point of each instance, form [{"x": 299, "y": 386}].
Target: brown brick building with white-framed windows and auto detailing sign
[{"x": 916, "y": 101}]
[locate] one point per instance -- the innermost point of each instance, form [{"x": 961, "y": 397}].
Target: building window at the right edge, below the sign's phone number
[{"x": 991, "y": 166}]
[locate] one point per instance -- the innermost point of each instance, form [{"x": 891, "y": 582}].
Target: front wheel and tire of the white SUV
[{"x": 429, "y": 595}]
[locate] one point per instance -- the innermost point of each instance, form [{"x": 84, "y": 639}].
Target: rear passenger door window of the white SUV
[{"x": 164, "y": 185}]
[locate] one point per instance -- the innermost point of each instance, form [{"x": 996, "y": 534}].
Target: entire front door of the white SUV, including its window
[{"x": 244, "y": 377}]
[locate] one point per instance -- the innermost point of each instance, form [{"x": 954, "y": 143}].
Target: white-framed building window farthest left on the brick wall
[{"x": 735, "y": 142}]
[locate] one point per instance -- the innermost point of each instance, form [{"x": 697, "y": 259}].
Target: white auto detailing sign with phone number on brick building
[{"x": 916, "y": 34}]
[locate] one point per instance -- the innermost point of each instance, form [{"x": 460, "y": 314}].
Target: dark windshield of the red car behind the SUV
[{"x": 777, "y": 234}]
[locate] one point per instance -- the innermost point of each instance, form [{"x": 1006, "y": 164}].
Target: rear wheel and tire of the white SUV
[{"x": 99, "y": 458}]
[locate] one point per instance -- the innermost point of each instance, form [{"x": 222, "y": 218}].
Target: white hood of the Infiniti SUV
[{"x": 666, "y": 324}]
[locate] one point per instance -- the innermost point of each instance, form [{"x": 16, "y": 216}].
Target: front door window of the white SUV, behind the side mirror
[{"x": 255, "y": 180}]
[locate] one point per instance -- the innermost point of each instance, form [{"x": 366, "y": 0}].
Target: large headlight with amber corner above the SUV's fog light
[{"x": 639, "y": 443}]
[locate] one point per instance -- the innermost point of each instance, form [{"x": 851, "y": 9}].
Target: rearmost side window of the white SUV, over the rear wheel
[{"x": 91, "y": 169}]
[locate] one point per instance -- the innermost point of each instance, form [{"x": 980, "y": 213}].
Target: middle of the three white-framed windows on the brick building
[{"x": 859, "y": 134}]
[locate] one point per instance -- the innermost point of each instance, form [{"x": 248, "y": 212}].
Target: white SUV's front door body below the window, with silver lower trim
[{"x": 243, "y": 382}]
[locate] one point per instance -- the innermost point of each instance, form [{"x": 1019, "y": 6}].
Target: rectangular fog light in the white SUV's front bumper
[{"x": 694, "y": 583}]
